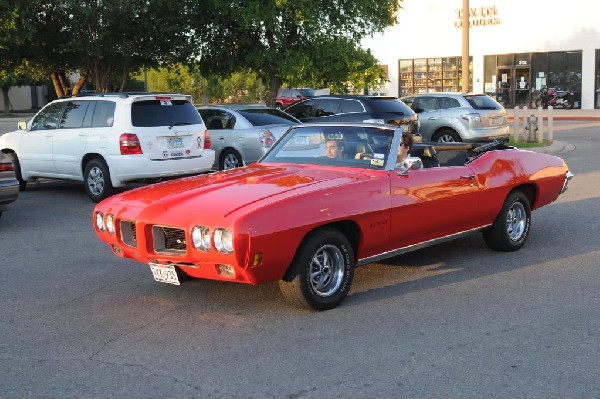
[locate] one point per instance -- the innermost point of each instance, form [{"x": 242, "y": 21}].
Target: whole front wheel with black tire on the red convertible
[{"x": 322, "y": 271}]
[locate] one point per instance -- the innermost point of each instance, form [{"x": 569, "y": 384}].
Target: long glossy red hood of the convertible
[{"x": 224, "y": 192}]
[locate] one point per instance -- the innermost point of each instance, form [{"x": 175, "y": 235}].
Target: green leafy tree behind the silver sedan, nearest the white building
[{"x": 285, "y": 40}]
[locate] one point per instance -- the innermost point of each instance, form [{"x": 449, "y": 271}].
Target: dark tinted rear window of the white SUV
[{"x": 151, "y": 113}]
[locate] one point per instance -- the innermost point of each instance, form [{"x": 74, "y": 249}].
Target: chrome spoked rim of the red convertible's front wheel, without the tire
[{"x": 326, "y": 270}]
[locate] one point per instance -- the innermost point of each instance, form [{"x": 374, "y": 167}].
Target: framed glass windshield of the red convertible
[{"x": 347, "y": 146}]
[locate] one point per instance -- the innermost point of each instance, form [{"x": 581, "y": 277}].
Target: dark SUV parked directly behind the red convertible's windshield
[{"x": 347, "y": 108}]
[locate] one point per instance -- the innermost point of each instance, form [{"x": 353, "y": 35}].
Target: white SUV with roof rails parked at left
[{"x": 107, "y": 140}]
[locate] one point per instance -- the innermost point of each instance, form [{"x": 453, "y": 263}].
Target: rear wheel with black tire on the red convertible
[{"x": 511, "y": 228}]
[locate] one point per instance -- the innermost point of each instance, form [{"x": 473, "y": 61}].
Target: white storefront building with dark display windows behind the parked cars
[{"x": 516, "y": 48}]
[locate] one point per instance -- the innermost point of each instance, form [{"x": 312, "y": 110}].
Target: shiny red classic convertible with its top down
[{"x": 305, "y": 218}]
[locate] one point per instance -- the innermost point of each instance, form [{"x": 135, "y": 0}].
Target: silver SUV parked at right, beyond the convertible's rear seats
[{"x": 448, "y": 117}]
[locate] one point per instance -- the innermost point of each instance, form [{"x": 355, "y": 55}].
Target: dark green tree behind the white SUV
[{"x": 104, "y": 40}]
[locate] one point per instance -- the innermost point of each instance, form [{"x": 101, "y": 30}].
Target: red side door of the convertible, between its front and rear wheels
[{"x": 430, "y": 203}]
